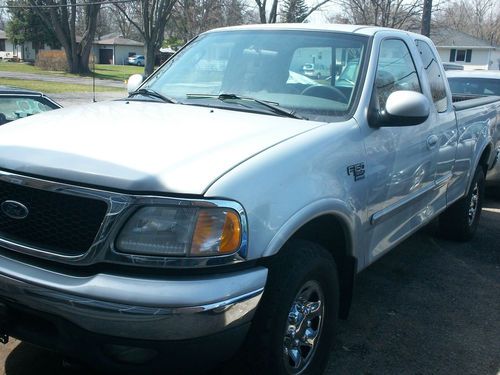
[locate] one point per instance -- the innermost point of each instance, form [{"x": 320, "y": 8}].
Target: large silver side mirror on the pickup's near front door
[{"x": 403, "y": 108}]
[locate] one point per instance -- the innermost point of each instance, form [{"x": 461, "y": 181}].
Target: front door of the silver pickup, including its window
[{"x": 401, "y": 162}]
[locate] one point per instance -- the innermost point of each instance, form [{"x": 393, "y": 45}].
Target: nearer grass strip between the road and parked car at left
[{"x": 53, "y": 87}]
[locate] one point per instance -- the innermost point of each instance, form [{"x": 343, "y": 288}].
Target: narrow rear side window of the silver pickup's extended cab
[{"x": 436, "y": 80}]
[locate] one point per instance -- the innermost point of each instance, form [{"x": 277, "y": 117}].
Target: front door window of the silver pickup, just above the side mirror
[{"x": 395, "y": 70}]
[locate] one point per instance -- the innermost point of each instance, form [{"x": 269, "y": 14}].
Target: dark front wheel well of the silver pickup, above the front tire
[{"x": 329, "y": 232}]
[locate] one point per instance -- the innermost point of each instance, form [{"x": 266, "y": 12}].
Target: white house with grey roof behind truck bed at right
[{"x": 464, "y": 49}]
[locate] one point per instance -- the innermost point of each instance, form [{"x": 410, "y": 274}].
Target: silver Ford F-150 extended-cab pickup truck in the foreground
[{"x": 228, "y": 203}]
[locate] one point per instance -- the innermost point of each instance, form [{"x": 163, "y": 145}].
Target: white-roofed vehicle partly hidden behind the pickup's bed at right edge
[{"x": 468, "y": 84}]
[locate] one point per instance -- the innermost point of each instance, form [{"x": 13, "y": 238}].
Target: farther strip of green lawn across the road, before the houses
[{"x": 113, "y": 72}]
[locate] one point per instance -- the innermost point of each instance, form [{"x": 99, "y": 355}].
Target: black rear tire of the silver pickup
[{"x": 459, "y": 222}]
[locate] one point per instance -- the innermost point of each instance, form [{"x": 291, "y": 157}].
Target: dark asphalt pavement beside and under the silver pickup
[{"x": 430, "y": 306}]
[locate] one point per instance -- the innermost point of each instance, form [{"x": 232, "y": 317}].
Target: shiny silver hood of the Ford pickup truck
[{"x": 140, "y": 146}]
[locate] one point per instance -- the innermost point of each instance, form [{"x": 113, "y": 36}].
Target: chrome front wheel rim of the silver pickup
[{"x": 303, "y": 328}]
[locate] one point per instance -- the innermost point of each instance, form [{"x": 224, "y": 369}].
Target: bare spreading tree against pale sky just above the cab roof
[{"x": 387, "y": 13}]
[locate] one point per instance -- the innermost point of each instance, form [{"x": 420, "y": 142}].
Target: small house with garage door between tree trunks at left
[{"x": 116, "y": 49}]
